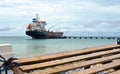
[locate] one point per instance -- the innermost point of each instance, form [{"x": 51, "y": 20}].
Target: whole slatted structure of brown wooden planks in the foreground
[{"x": 103, "y": 59}]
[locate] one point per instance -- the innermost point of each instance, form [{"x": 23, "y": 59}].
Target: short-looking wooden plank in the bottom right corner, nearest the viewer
[{"x": 100, "y": 68}]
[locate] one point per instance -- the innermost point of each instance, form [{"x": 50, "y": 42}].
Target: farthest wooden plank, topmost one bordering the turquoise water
[{"x": 64, "y": 54}]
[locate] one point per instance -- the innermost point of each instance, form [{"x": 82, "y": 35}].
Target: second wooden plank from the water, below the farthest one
[{"x": 66, "y": 60}]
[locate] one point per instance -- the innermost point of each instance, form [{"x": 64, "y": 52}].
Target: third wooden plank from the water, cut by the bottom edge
[{"x": 78, "y": 64}]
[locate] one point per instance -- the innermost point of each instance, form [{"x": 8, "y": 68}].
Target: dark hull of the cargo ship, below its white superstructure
[{"x": 44, "y": 35}]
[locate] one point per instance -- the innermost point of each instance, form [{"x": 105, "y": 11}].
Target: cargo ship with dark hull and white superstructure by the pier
[{"x": 37, "y": 30}]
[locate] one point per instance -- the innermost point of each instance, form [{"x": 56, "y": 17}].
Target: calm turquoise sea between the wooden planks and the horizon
[{"x": 27, "y": 47}]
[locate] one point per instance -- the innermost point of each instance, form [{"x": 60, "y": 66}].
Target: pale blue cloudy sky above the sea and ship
[{"x": 73, "y": 17}]
